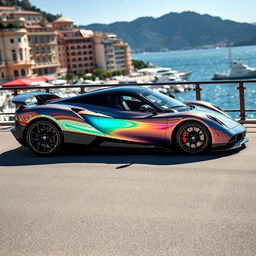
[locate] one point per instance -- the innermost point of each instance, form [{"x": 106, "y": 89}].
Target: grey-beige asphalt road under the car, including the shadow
[{"x": 127, "y": 202}]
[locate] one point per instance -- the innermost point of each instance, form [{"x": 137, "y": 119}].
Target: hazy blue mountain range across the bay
[{"x": 179, "y": 31}]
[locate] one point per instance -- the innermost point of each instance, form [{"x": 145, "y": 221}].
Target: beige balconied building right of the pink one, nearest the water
[{"x": 112, "y": 53}]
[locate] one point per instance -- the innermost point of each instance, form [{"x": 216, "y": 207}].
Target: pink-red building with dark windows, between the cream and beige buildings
[{"x": 75, "y": 47}]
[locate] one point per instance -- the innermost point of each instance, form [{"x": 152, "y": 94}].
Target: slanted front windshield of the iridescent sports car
[{"x": 162, "y": 101}]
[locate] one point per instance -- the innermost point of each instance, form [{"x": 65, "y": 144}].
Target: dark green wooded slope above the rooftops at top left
[{"x": 25, "y": 4}]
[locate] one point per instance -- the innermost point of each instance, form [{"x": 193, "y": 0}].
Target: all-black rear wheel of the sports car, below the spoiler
[{"x": 43, "y": 138}]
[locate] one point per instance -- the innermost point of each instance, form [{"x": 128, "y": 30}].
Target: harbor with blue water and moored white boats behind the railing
[{"x": 201, "y": 63}]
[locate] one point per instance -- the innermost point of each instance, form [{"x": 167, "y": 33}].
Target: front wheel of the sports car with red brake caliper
[{"x": 193, "y": 138}]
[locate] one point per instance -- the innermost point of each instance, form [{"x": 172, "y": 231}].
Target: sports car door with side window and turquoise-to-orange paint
[{"x": 124, "y": 119}]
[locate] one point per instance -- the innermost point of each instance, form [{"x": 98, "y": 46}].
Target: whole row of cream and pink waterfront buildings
[{"x": 31, "y": 46}]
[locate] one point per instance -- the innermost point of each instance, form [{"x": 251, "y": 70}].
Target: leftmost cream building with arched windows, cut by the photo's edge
[{"x": 15, "y": 60}]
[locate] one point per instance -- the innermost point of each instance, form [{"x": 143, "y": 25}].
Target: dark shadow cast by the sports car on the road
[{"x": 124, "y": 157}]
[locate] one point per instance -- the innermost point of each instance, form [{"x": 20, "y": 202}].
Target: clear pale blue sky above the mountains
[{"x": 84, "y": 12}]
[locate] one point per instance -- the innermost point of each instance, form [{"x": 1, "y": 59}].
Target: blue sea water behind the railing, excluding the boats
[{"x": 204, "y": 63}]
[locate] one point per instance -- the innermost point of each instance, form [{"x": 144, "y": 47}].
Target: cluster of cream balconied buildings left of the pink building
[{"x": 28, "y": 45}]
